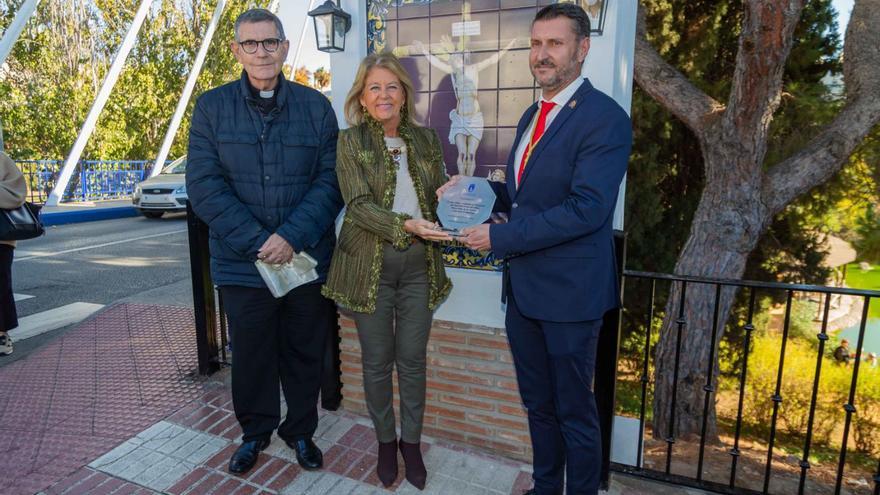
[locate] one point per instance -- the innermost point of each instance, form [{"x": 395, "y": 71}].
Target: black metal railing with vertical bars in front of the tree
[{"x": 670, "y": 294}]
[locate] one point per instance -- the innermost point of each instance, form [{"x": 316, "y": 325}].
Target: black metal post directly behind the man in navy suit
[{"x": 606, "y": 365}]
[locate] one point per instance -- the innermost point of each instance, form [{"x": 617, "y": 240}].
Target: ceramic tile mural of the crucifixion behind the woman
[{"x": 469, "y": 63}]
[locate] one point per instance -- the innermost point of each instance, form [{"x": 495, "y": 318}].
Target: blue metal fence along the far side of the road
[{"x": 92, "y": 179}]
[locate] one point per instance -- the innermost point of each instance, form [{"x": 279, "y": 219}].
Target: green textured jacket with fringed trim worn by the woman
[{"x": 368, "y": 177}]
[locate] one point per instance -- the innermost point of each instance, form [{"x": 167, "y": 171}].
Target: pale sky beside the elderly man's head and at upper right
[{"x": 294, "y": 13}]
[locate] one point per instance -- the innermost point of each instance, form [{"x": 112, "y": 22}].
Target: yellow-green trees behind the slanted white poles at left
[{"x": 56, "y": 68}]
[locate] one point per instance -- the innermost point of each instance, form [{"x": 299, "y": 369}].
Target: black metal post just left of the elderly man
[{"x": 204, "y": 307}]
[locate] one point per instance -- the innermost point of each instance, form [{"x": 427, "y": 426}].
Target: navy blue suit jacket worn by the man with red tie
[{"x": 558, "y": 246}]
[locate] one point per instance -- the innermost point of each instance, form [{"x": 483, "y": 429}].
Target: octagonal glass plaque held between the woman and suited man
[{"x": 467, "y": 203}]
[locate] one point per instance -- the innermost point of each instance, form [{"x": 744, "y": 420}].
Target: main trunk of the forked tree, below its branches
[{"x": 727, "y": 226}]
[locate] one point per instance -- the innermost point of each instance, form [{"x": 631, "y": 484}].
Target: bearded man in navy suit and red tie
[{"x": 564, "y": 173}]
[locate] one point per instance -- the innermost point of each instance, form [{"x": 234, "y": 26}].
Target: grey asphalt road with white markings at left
[{"x": 131, "y": 259}]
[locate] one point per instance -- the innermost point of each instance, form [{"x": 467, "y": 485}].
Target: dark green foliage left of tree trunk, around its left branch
[{"x": 666, "y": 175}]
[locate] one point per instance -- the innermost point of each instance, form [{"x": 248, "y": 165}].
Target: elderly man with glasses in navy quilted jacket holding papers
[{"x": 261, "y": 174}]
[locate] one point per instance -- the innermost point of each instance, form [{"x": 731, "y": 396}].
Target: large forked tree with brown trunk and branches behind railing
[{"x": 745, "y": 187}]
